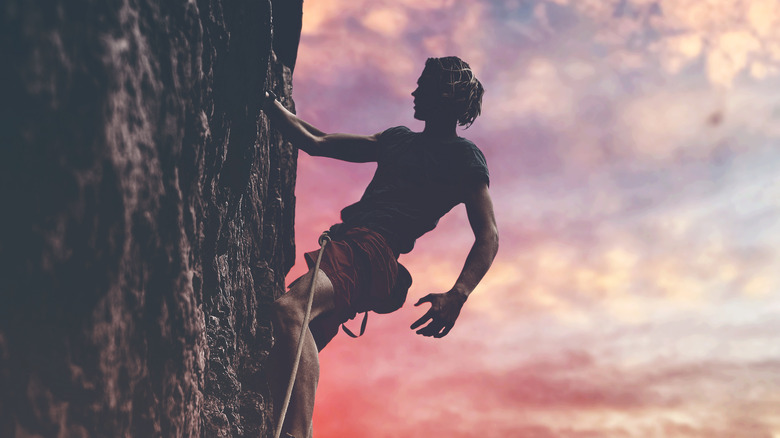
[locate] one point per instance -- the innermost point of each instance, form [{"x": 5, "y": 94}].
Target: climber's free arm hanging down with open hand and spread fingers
[{"x": 445, "y": 307}]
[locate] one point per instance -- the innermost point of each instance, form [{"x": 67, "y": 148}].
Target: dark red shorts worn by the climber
[{"x": 363, "y": 270}]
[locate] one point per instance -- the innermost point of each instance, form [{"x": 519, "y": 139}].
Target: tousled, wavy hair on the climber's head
[{"x": 459, "y": 85}]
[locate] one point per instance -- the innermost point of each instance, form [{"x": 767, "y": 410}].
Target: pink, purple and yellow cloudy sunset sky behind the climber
[{"x": 633, "y": 148}]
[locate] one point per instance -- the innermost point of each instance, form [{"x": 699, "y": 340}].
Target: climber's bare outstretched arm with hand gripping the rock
[{"x": 347, "y": 147}]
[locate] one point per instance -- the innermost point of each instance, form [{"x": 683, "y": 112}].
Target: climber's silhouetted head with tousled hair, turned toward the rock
[{"x": 448, "y": 87}]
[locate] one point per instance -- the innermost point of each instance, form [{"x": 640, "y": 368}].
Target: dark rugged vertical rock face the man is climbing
[{"x": 148, "y": 215}]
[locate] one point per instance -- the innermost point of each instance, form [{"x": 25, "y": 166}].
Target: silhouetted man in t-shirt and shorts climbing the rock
[{"x": 419, "y": 178}]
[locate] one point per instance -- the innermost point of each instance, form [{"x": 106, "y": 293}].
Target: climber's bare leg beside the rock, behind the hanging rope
[{"x": 288, "y": 314}]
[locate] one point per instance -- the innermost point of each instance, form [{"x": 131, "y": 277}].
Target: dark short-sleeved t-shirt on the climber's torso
[{"x": 417, "y": 181}]
